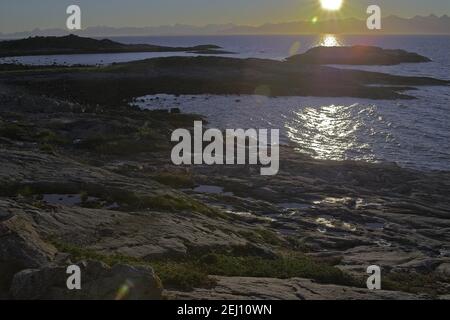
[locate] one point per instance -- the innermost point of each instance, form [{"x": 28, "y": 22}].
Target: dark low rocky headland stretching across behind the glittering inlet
[{"x": 212, "y": 75}]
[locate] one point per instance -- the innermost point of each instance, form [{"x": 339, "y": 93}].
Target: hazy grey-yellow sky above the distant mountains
[{"x": 23, "y": 15}]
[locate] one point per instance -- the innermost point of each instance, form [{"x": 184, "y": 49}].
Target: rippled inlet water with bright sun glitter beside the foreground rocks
[{"x": 412, "y": 133}]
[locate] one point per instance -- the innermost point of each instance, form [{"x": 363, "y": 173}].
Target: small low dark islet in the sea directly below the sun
[{"x": 356, "y": 55}]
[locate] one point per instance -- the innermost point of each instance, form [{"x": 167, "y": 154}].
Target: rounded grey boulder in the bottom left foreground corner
[{"x": 99, "y": 282}]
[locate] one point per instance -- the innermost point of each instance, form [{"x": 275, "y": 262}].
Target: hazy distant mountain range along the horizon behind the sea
[{"x": 431, "y": 24}]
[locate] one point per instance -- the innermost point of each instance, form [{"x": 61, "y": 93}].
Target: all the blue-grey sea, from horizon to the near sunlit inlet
[{"x": 414, "y": 134}]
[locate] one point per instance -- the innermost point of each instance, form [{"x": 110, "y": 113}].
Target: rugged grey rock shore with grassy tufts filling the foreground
[{"x": 92, "y": 183}]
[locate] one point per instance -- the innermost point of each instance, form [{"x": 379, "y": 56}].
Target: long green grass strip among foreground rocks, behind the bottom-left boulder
[{"x": 193, "y": 272}]
